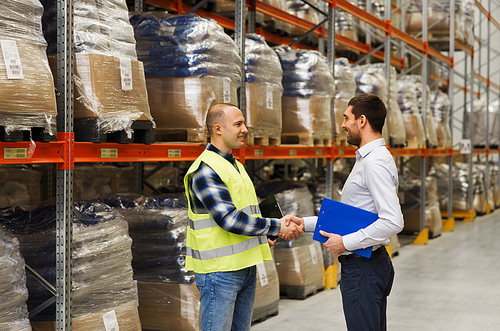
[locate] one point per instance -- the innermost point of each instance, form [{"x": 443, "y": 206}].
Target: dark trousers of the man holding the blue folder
[{"x": 365, "y": 285}]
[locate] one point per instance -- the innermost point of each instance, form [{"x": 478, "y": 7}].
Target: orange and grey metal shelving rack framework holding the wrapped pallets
[{"x": 65, "y": 151}]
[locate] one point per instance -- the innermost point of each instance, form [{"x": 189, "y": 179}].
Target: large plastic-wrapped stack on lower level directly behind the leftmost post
[{"x": 102, "y": 289}]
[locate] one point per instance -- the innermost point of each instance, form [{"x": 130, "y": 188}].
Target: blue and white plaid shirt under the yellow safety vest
[{"x": 210, "y": 195}]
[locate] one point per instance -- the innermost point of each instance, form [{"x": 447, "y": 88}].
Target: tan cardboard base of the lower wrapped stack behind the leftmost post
[{"x": 126, "y": 315}]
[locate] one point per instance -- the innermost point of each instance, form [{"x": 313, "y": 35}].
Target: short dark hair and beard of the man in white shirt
[{"x": 372, "y": 107}]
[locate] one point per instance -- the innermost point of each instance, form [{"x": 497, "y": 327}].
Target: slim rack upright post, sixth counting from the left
[{"x": 451, "y": 95}]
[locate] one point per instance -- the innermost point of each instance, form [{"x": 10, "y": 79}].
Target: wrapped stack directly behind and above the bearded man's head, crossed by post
[{"x": 370, "y": 78}]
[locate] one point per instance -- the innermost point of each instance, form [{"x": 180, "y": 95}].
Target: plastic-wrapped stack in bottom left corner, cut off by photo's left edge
[{"x": 13, "y": 289}]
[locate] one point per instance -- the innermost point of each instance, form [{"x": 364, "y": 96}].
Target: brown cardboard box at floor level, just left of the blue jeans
[{"x": 172, "y": 307}]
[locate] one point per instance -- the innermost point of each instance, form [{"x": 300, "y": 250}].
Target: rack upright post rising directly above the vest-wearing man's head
[{"x": 239, "y": 38}]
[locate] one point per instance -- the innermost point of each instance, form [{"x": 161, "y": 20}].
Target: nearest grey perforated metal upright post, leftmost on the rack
[{"x": 64, "y": 184}]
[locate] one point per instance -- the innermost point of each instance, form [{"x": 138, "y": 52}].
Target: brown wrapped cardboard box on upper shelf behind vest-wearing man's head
[{"x": 183, "y": 102}]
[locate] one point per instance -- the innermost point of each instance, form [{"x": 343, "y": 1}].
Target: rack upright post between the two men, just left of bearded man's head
[{"x": 331, "y": 63}]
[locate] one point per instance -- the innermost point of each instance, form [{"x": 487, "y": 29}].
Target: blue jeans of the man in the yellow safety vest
[{"x": 227, "y": 299}]
